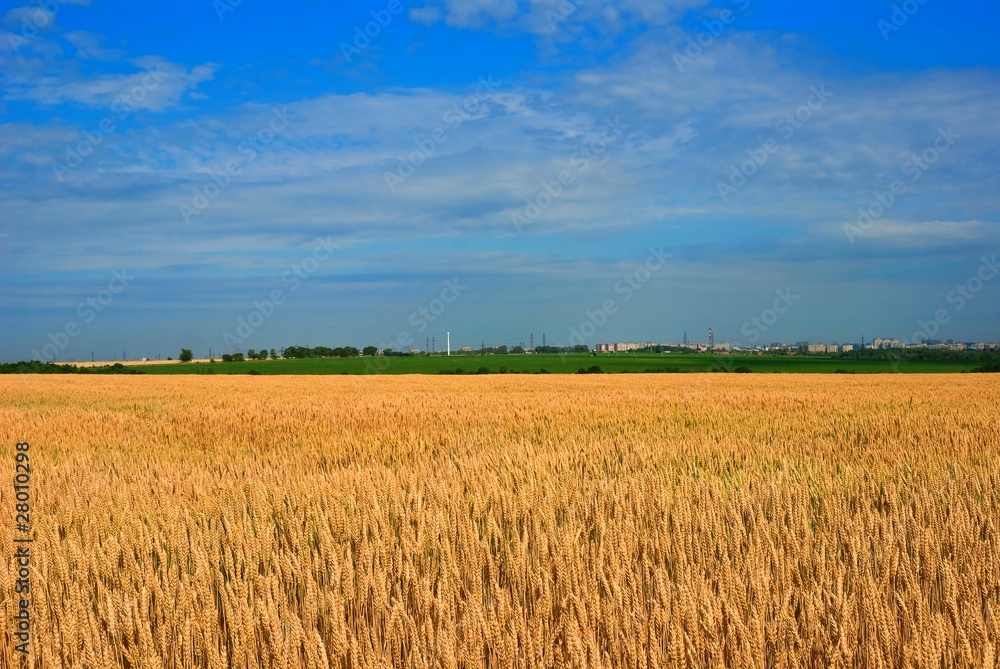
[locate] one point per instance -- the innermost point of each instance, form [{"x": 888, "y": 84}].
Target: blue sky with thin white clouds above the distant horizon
[{"x": 221, "y": 174}]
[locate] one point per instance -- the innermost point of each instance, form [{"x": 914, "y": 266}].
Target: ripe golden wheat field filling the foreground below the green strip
[{"x": 507, "y": 521}]
